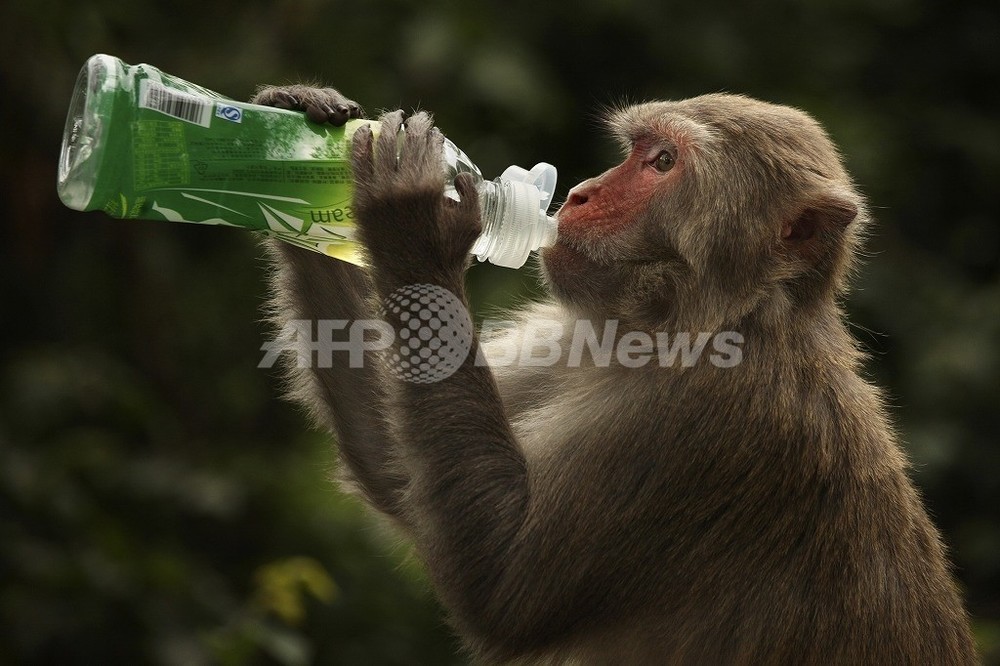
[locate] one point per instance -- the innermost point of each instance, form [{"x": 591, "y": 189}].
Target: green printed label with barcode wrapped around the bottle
[{"x": 171, "y": 150}]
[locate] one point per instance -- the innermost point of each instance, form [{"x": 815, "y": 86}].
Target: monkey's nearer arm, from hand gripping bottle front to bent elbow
[{"x": 469, "y": 495}]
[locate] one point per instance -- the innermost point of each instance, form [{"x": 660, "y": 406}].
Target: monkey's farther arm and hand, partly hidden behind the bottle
[{"x": 308, "y": 286}]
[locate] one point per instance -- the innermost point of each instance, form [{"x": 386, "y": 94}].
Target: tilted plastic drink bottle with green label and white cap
[{"x": 139, "y": 143}]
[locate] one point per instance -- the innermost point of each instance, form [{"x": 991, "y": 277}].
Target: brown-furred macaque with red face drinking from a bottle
[{"x": 608, "y": 512}]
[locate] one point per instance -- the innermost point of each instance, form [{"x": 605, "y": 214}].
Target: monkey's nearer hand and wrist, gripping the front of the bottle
[{"x": 412, "y": 232}]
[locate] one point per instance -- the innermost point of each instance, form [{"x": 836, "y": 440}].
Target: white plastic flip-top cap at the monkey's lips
[{"x": 525, "y": 226}]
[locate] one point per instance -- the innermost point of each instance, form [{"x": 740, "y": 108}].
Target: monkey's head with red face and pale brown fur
[{"x": 723, "y": 205}]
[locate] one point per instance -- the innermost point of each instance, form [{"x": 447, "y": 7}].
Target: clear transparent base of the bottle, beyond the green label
[{"x": 79, "y": 155}]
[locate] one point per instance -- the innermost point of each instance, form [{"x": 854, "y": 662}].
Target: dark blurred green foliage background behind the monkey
[{"x": 160, "y": 504}]
